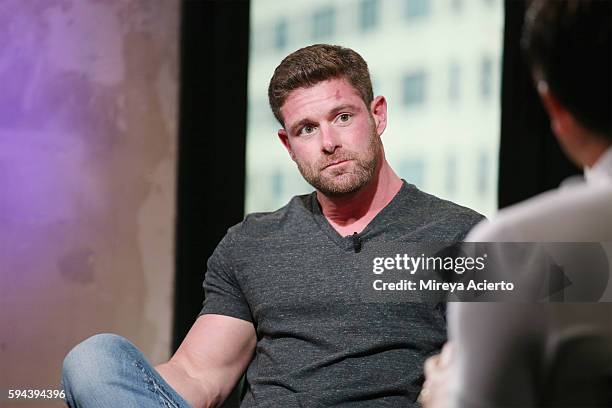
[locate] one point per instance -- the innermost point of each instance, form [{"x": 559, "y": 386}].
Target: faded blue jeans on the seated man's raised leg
[{"x": 107, "y": 370}]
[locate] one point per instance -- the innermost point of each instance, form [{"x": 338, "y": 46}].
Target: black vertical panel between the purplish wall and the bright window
[{"x": 212, "y": 136}]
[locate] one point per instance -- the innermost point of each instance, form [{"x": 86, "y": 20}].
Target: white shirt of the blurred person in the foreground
[{"x": 573, "y": 337}]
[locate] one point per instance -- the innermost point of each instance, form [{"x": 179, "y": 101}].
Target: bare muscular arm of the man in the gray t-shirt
[{"x": 211, "y": 359}]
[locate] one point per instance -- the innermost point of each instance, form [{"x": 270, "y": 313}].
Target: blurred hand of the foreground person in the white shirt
[{"x": 436, "y": 392}]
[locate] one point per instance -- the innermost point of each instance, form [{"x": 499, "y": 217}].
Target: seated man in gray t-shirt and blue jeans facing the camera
[{"x": 284, "y": 298}]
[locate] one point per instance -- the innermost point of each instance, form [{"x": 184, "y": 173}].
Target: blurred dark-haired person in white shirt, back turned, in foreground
[{"x": 558, "y": 355}]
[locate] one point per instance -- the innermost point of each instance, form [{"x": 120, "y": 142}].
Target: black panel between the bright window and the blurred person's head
[{"x": 531, "y": 160}]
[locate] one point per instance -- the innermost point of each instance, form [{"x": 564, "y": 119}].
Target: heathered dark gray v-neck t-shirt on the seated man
[{"x": 319, "y": 343}]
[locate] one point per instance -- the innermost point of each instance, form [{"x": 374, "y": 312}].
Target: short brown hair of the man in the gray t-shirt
[{"x": 310, "y": 65}]
